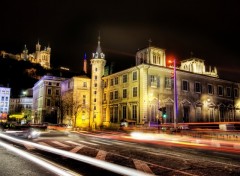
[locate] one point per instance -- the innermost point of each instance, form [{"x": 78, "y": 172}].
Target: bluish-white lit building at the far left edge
[{"x": 4, "y": 102}]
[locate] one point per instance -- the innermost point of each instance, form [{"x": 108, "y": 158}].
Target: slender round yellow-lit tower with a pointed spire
[{"x": 98, "y": 63}]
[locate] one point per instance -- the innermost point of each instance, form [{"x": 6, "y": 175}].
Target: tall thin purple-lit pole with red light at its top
[{"x": 175, "y": 94}]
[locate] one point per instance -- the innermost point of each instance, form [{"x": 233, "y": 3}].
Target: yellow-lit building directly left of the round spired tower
[{"x": 75, "y": 94}]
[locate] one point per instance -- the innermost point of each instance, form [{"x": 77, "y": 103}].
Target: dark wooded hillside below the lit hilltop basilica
[{"x": 21, "y": 75}]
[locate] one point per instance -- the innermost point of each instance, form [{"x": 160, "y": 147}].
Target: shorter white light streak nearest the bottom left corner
[{"x": 36, "y": 160}]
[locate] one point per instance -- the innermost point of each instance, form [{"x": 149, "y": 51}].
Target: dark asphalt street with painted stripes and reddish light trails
[{"x": 154, "y": 154}]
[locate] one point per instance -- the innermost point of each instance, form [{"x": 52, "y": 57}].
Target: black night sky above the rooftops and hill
[{"x": 208, "y": 28}]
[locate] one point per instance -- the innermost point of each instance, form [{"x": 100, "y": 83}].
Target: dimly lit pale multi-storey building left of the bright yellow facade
[{"x": 46, "y": 99}]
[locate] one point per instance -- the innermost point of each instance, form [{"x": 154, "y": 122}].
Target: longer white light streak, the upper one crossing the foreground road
[{"x": 97, "y": 163}]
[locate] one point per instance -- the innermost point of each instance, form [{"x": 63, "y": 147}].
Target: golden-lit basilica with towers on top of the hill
[{"x": 41, "y": 57}]
